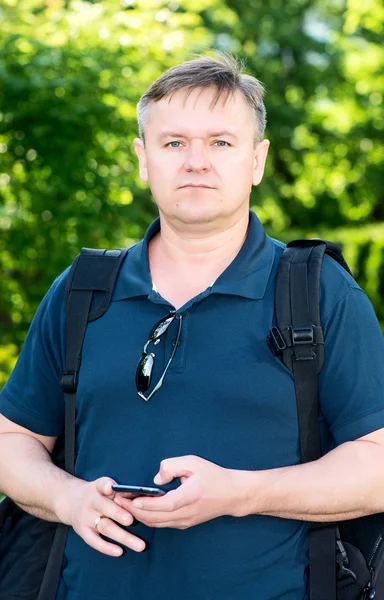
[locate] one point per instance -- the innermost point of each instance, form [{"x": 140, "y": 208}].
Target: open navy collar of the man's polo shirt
[{"x": 246, "y": 276}]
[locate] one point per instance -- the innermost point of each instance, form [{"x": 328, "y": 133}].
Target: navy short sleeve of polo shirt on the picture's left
[{"x": 32, "y": 397}]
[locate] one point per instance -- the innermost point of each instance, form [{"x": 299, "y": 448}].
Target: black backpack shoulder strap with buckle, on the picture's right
[{"x": 300, "y": 336}]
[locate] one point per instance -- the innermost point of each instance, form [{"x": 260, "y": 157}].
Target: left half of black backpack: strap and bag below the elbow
[{"x": 31, "y": 549}]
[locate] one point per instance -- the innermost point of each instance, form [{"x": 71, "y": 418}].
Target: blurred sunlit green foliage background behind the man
[{"x": 71, "y": 73}]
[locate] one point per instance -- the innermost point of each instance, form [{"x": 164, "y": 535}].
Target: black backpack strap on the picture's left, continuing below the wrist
[{"x": 92, "y": 271}]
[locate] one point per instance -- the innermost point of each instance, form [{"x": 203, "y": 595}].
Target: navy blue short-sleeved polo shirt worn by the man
[{"x": 225, "y": 398}]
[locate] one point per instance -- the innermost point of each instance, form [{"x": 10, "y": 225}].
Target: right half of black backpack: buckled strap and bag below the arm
[{"x": 346, "y": 558}]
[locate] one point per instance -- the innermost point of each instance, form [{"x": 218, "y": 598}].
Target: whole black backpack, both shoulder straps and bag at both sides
[{"x": 347, "y": 557}]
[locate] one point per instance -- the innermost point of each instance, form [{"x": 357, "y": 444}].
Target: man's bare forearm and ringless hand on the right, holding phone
[{"x": 346, "y": 483}]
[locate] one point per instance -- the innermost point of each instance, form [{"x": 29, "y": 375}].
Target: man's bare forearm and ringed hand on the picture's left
[{"x": 28, "y": 476}]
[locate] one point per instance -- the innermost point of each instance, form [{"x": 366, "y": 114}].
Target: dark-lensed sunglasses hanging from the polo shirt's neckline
[{"x": 146, "y": 363}]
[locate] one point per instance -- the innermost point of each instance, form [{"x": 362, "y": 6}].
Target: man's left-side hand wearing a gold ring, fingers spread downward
[{"x": 88, "y": 500}]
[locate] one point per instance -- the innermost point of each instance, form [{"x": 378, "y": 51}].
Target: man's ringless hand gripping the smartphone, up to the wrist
[{"x": 205, "y": 493}]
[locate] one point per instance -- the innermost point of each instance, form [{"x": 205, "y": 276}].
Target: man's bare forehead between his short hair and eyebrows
[{"x": 201, "y": 109}]
